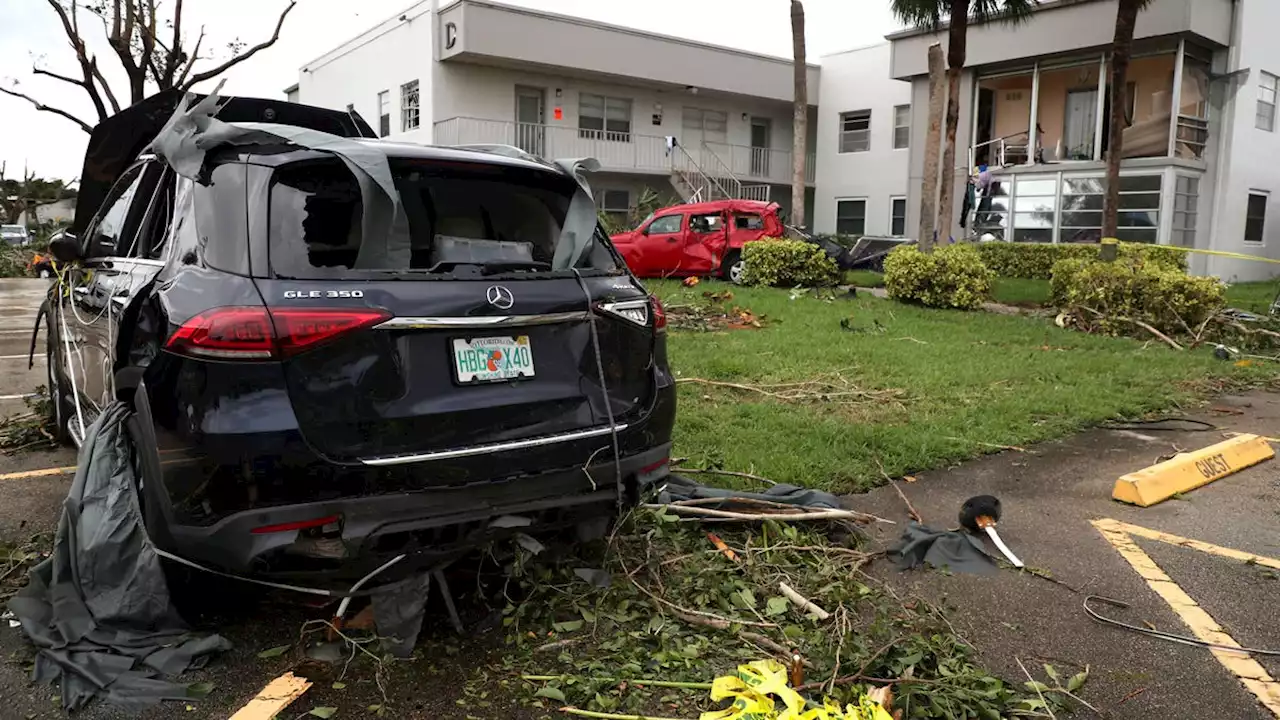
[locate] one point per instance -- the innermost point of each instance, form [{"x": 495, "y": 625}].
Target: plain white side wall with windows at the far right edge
[{"x": 1251, "y": 154}]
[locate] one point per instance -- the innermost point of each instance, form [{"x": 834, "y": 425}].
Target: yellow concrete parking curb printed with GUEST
[{"x": 1190, "y": 471}]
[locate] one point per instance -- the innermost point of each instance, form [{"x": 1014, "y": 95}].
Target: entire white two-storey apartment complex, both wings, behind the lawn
[{"x": 1201, "y": 153}]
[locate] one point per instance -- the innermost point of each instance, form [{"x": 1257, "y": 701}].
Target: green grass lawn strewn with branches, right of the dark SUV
[{"x": 968, "y": 381}]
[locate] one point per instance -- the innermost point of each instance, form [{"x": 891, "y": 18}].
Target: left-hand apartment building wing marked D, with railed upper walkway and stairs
[{"x": 557, "y": 86}]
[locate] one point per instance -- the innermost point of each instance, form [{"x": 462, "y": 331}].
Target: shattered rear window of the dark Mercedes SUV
[{"x": 454, "y": 215}]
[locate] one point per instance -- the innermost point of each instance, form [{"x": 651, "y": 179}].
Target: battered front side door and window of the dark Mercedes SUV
[{"x": 100, "y": 288}]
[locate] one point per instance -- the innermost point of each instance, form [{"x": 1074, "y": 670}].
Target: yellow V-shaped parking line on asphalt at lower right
[{"x": 1252, "y": 676}]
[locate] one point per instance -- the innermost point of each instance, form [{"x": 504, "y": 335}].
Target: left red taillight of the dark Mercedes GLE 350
[{"x": 255, "y": 334}]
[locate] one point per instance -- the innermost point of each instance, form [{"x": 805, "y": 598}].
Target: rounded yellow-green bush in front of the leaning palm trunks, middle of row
[{"x": 953, "y": 276}]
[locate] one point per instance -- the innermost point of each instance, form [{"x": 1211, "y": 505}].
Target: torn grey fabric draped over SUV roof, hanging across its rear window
[{"x": 194, "y": 131}]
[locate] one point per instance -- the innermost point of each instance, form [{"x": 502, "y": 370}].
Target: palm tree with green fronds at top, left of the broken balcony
[{"x": 929, "y": 13}]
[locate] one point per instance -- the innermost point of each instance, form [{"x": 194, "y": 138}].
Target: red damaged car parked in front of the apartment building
[{"x": 698, "y": 239}]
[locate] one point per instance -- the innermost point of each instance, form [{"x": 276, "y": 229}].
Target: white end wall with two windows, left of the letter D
[{"x": 383, "y": 58}]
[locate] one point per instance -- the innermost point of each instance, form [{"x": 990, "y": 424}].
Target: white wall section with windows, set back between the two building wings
[{"x": 860, "y": 80}]
